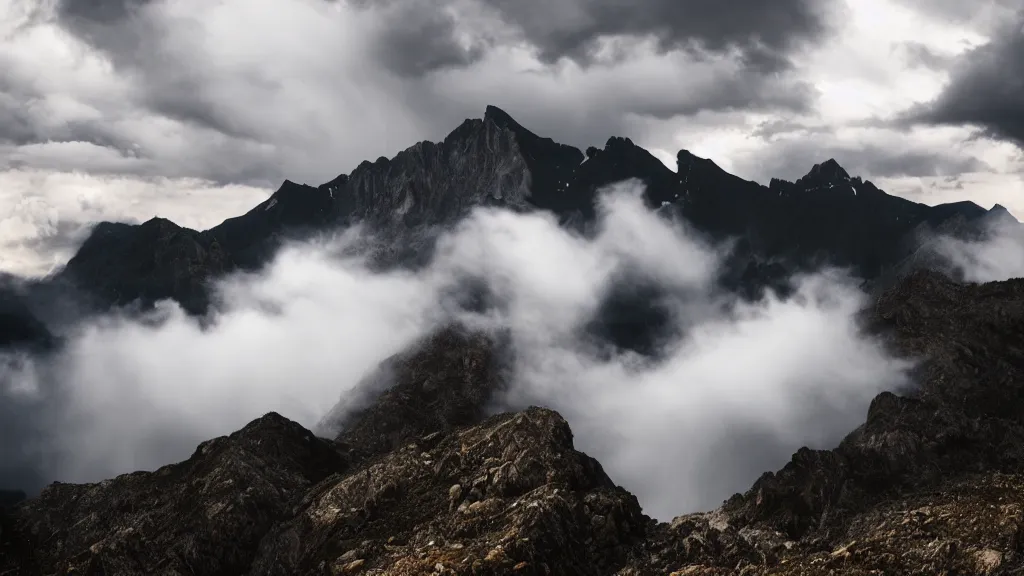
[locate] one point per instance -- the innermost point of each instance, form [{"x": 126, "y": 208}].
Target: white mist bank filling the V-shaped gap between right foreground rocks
[{"x": 735, "y": 399}]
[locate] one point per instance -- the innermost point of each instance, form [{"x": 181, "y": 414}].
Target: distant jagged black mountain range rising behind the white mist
[{"x": 825, "y": 218}]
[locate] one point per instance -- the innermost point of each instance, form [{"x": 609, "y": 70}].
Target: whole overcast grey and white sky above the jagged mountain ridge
[{"x": 196, "y": 110}]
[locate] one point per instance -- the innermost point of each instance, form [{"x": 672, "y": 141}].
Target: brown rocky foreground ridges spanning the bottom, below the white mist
[{"x": 932, "y": 483}]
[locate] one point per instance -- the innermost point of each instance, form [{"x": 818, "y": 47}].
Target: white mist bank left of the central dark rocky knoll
[{"x": 142, "y": 394}]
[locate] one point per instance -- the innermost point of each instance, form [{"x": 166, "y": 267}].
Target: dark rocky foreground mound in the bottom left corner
[{"x": 205, "y": 516}]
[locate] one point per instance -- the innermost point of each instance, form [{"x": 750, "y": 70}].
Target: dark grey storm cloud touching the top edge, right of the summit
[{"x": 764, "y": 33}]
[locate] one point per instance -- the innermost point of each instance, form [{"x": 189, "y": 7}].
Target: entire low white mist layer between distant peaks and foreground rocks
[{"x": 734, "y": 392}]
